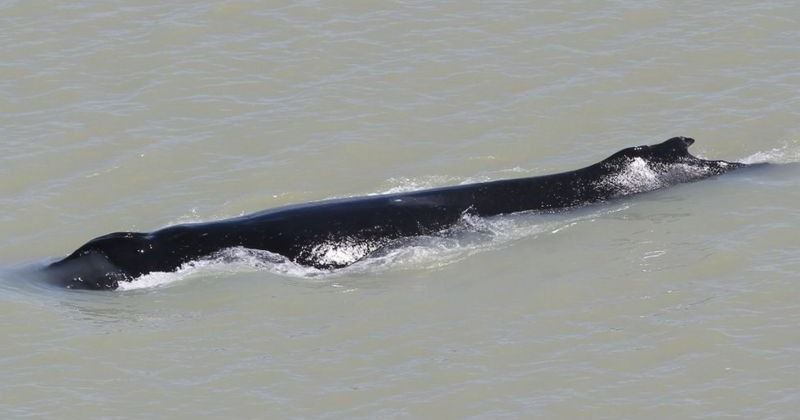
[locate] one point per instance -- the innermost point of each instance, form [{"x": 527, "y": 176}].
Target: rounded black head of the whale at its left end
[{"x": 104, "y": 261}]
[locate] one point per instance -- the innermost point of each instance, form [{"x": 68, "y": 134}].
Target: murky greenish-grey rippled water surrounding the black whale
[{"x": 136, "y": 115}]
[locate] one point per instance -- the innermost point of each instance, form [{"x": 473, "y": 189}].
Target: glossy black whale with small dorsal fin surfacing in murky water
[{"x": 306, "y": 233}]
